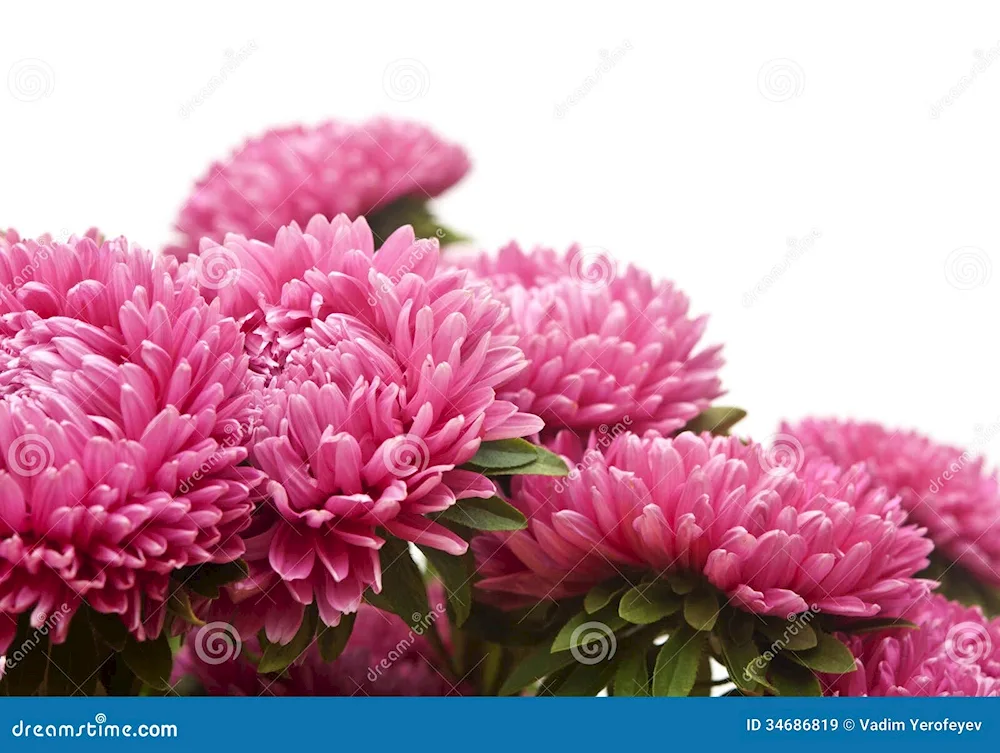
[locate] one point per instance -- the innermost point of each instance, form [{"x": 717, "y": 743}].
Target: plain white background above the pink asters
[{"x": 695, "y": 155}]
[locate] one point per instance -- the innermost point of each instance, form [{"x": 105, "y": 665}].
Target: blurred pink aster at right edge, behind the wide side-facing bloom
[{"x": 944, "y": 489}]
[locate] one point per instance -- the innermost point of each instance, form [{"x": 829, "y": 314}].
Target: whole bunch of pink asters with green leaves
[{"x": 308, "y": 450}]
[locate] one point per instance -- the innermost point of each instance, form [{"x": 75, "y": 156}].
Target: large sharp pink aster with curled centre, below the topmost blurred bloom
[{"x": 387, "y": 373}]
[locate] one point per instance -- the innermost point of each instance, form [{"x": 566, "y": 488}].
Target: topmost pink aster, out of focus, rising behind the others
[{"x": 290, "y": 174}]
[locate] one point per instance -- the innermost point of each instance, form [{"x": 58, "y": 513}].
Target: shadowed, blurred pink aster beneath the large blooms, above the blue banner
[{"x": 384, "y": 657}]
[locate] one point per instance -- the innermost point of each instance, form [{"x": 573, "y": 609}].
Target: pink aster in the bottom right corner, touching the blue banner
[{"x": 955, "y": 651}]
